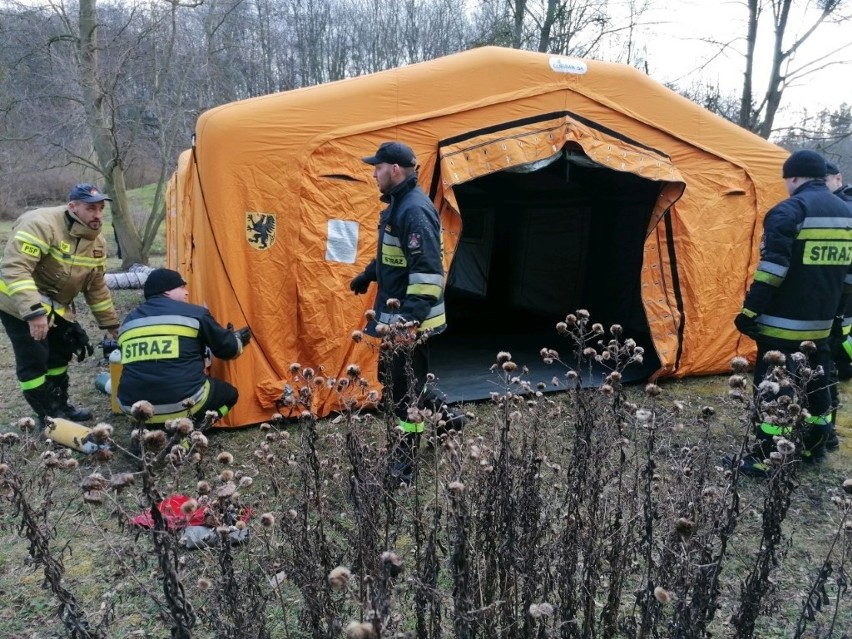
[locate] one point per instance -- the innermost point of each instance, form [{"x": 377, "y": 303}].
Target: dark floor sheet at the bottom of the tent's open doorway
[{"x": 462, "y": 362}]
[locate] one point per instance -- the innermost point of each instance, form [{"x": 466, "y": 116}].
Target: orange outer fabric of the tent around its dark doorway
[{"x": 295, "y": 157}]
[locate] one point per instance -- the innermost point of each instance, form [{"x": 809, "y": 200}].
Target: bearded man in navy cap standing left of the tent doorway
[{"x": 408, "y": 268}]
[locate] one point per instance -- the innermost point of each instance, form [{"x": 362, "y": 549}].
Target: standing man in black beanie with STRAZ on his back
[{"x": 798, "y": 289}]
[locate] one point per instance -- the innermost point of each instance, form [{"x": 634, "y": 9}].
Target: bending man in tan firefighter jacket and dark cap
[{"x": 54, "y": 254}]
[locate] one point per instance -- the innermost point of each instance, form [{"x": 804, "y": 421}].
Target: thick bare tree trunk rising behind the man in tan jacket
[{"x": 108, "y": 158}]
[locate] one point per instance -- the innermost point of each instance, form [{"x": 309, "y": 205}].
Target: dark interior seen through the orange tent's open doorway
[{"x": 539, "y": 242}]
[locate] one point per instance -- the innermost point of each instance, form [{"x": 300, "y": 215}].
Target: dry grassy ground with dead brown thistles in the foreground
[{"x": 550, "y": 516}]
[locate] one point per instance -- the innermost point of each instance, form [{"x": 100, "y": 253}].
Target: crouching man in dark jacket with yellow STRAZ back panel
[{"x": 163, "y": 346}]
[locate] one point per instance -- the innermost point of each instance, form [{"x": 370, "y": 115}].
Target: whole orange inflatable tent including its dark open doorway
[{"x": 561, "y": 183}]
